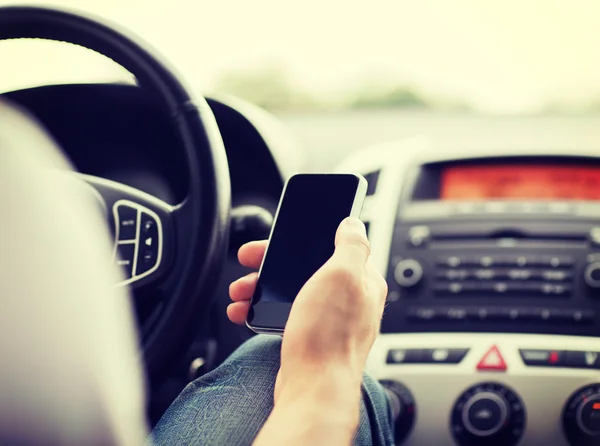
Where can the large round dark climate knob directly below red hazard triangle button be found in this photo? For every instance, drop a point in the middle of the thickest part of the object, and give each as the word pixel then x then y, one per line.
pixel 488 414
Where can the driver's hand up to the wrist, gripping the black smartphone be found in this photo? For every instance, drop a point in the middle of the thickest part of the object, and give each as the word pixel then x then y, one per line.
pixel 334 319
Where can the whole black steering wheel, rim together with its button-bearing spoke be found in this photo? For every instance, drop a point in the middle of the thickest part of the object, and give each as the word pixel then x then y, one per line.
pixel 179 249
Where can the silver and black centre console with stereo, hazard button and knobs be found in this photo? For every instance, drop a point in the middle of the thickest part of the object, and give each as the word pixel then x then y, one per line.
pixel 491 334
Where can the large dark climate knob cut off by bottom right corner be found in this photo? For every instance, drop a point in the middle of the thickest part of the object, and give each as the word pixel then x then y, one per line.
pixel 581 417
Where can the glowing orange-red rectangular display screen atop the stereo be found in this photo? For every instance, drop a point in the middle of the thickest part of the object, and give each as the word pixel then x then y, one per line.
pixel 520 182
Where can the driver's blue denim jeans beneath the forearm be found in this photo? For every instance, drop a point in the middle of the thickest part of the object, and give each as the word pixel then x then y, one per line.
pixel 229 405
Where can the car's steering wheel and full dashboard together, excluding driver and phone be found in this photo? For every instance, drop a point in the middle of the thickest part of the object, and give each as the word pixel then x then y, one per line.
pixel 490 334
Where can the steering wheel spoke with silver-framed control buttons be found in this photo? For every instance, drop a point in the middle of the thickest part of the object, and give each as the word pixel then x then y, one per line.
pixel 142 226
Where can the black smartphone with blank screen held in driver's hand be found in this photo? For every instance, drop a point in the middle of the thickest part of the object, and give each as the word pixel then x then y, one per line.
pixel 311 208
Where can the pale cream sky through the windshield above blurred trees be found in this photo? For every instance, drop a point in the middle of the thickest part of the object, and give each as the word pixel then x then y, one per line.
pixel 510 56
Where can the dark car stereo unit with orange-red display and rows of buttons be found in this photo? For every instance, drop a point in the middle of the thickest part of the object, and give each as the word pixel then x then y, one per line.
pixel 497 245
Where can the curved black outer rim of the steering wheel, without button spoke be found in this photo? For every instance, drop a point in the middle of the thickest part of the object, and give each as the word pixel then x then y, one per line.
pixel 202 219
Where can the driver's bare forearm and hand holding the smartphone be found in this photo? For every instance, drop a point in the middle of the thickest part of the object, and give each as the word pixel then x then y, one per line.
pixel 331 328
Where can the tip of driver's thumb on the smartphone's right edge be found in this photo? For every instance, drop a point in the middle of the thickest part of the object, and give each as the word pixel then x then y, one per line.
pixel 351 243
